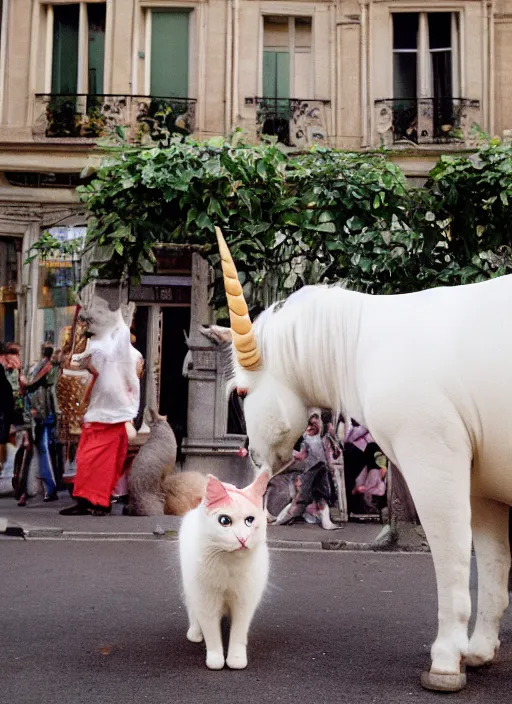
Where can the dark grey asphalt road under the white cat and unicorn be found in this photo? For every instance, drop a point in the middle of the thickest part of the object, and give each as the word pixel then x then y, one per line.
pixel 98 622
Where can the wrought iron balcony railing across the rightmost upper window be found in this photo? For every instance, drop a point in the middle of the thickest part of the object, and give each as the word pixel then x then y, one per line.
pixel 426 120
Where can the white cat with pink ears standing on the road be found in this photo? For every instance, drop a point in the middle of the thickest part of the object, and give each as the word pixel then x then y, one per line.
pixel 224 566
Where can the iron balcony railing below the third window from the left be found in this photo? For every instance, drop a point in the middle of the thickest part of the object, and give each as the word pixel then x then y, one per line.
pixel 295 122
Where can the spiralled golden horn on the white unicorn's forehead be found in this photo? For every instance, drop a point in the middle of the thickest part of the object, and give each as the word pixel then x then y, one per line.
pixel 248 354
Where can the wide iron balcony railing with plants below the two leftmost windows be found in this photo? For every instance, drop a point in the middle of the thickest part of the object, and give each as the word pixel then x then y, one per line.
pixel 92 117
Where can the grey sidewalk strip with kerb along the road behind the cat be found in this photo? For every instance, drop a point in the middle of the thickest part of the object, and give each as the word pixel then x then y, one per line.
pixel 42 520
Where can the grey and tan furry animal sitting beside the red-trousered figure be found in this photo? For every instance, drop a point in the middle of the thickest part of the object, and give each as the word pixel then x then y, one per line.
pixel 153 486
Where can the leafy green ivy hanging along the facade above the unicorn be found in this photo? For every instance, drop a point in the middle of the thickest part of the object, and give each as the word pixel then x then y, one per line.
pixel 291 220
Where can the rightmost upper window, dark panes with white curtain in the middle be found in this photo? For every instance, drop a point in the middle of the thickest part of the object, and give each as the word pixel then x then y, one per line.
pixel 425 74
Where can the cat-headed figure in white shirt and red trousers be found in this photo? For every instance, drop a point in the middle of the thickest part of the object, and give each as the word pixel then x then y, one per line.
pixel 112 401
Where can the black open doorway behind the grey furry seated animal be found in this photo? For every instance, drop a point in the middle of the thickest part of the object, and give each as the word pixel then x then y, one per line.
pixel 173 385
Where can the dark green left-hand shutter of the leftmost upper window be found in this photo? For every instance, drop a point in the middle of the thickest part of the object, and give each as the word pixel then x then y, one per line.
pixel 65 49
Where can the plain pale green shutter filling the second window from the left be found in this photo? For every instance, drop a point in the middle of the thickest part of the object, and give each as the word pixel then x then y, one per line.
pixel 169 53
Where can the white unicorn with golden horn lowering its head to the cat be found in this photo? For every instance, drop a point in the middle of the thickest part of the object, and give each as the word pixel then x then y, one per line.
pixel 430 375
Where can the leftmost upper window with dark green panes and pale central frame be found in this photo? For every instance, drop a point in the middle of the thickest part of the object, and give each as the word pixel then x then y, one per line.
pixel 77 66
